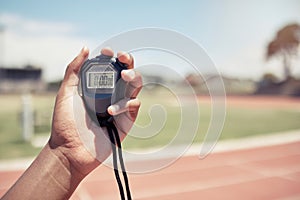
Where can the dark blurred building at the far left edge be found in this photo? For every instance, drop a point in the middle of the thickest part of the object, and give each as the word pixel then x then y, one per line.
pixel 19 80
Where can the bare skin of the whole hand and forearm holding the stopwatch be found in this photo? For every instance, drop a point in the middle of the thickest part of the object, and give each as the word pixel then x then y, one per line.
pixel 67 159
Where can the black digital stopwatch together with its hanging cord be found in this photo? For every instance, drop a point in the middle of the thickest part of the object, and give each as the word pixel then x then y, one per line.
pixel 100 86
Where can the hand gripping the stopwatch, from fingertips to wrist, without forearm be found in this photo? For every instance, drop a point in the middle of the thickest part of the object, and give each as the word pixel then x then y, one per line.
pixel 82 141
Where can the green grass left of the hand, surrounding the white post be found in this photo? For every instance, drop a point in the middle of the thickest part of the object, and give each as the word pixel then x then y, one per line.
pixel 11 142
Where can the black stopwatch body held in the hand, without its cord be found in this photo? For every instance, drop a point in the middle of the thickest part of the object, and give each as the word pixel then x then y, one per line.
pixel 101 85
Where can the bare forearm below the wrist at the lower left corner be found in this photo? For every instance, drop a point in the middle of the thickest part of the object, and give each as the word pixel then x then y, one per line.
pixel 50 176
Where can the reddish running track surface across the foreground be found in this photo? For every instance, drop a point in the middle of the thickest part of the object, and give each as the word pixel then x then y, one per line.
pixel 261 173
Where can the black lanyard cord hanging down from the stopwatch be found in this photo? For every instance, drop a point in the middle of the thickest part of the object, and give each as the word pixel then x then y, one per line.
pixel 116 146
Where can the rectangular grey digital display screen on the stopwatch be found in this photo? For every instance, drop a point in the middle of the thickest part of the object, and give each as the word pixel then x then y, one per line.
pixel 100 80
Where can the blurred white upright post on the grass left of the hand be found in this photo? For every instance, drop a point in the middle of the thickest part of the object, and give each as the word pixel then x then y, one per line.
pixel 27 117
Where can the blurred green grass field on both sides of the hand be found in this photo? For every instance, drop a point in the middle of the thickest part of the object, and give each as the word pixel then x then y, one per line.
pixel 240 121
